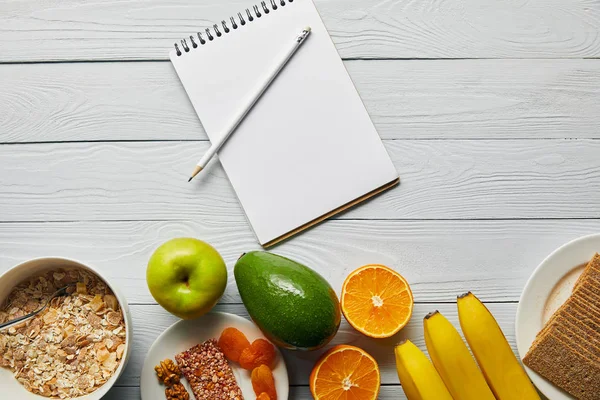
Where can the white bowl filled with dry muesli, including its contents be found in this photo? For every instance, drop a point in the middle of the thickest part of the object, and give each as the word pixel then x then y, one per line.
pixel 76 346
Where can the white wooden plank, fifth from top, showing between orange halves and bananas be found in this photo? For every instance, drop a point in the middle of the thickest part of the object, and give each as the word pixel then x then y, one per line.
pixel 150 321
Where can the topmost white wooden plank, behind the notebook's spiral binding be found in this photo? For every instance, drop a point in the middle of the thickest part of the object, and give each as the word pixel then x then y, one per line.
pixel 136 29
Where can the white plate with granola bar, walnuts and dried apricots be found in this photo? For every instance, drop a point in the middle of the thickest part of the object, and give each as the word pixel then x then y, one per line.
pixel 216 356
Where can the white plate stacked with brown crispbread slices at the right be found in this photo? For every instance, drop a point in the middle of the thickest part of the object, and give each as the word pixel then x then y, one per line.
pixel 558 322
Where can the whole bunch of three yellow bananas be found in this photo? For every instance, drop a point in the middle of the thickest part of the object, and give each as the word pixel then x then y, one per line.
pixel 454 374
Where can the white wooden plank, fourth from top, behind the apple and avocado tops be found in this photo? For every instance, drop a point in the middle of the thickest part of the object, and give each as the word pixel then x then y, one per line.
pixel 440 259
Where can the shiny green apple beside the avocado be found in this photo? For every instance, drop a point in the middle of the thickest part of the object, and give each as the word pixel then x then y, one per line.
pixel 187 277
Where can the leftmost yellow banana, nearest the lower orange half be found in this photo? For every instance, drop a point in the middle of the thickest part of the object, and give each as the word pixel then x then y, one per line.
pixel 419 379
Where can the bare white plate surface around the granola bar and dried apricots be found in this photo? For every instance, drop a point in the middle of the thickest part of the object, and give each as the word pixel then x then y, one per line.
pixel 187 333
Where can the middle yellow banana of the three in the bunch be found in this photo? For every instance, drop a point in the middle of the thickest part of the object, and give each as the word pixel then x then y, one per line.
pixel 453 361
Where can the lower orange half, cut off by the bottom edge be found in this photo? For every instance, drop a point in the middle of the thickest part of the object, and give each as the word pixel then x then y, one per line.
pixel 345 373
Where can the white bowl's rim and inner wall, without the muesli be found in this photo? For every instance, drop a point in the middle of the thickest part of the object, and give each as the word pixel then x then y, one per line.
pixel 9 387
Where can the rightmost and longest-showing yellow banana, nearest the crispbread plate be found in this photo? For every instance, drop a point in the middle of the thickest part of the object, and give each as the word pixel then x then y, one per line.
pixel 501 369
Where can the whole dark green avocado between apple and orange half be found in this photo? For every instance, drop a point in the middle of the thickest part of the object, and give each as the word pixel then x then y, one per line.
pixel 294 306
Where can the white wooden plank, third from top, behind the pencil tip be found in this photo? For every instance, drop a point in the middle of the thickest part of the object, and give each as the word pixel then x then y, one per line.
pixel 447 179
